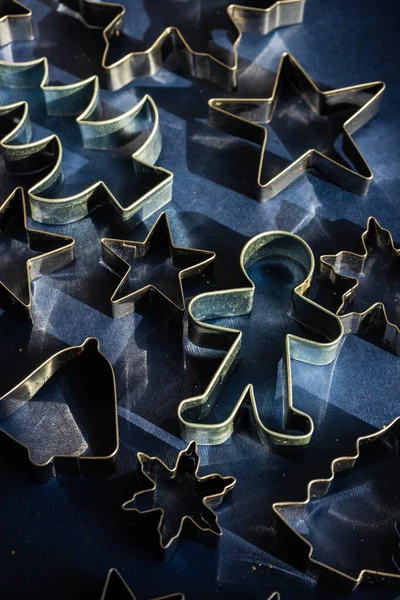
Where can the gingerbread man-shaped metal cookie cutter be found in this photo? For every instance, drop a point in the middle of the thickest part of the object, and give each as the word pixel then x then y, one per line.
pixel 239 301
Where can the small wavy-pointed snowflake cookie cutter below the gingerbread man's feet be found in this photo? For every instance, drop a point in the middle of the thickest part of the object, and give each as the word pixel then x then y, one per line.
pixel 198 493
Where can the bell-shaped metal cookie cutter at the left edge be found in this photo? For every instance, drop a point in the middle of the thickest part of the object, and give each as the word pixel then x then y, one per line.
pixel 93 362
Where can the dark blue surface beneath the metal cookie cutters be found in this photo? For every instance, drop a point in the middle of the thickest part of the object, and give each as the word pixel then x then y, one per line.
pixel 59 540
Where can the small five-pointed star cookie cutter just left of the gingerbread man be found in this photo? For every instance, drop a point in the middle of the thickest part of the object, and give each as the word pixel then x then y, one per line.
pixel 116 254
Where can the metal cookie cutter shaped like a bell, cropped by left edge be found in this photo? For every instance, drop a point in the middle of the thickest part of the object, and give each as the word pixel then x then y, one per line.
pixel 22 393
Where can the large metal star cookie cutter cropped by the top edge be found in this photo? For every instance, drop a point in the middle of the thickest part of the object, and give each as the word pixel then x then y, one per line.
pixel 203 65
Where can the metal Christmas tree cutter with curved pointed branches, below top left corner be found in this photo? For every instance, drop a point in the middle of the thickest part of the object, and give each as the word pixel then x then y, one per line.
pixel 24 157
